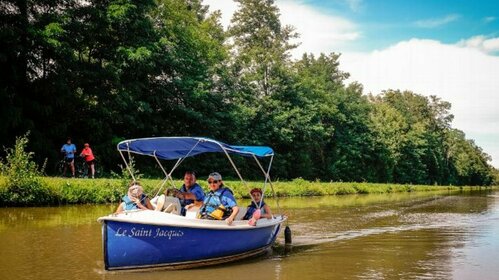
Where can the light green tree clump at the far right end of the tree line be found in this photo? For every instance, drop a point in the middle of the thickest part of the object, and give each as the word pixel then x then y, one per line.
pixel 417 144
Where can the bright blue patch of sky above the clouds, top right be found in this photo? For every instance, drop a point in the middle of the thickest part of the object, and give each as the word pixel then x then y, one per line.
pixel 383 23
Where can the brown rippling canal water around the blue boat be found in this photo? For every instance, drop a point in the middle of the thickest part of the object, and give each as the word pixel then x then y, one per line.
pixel 391 236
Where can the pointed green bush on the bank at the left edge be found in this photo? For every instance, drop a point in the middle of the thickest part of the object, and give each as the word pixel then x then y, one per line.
pixel 23 184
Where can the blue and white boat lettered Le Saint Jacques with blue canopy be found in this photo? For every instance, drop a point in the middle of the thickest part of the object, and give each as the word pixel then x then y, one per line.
pixel 146 239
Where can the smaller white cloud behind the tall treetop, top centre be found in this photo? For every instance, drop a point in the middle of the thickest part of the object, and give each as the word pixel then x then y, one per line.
pixel 319 32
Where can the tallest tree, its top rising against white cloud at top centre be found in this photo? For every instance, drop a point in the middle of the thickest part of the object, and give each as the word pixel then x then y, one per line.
pixel 260 46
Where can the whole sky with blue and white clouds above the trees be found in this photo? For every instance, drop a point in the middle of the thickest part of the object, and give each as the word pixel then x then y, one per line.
pixel 432 47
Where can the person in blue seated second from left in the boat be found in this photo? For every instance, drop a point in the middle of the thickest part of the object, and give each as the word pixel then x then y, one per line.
pixel 191 195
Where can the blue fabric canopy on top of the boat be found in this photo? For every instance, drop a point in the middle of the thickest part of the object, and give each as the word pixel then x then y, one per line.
pixel 178 147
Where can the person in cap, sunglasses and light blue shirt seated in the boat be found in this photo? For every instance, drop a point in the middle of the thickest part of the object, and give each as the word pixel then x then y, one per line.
pixel 219 202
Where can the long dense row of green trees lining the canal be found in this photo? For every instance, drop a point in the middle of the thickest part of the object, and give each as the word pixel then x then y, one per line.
pixel 105 70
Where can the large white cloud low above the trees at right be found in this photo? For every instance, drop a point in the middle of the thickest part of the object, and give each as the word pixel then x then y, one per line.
pixel 461 75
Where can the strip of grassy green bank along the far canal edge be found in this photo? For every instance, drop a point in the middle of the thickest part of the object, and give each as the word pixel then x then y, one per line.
pixel 80 191
